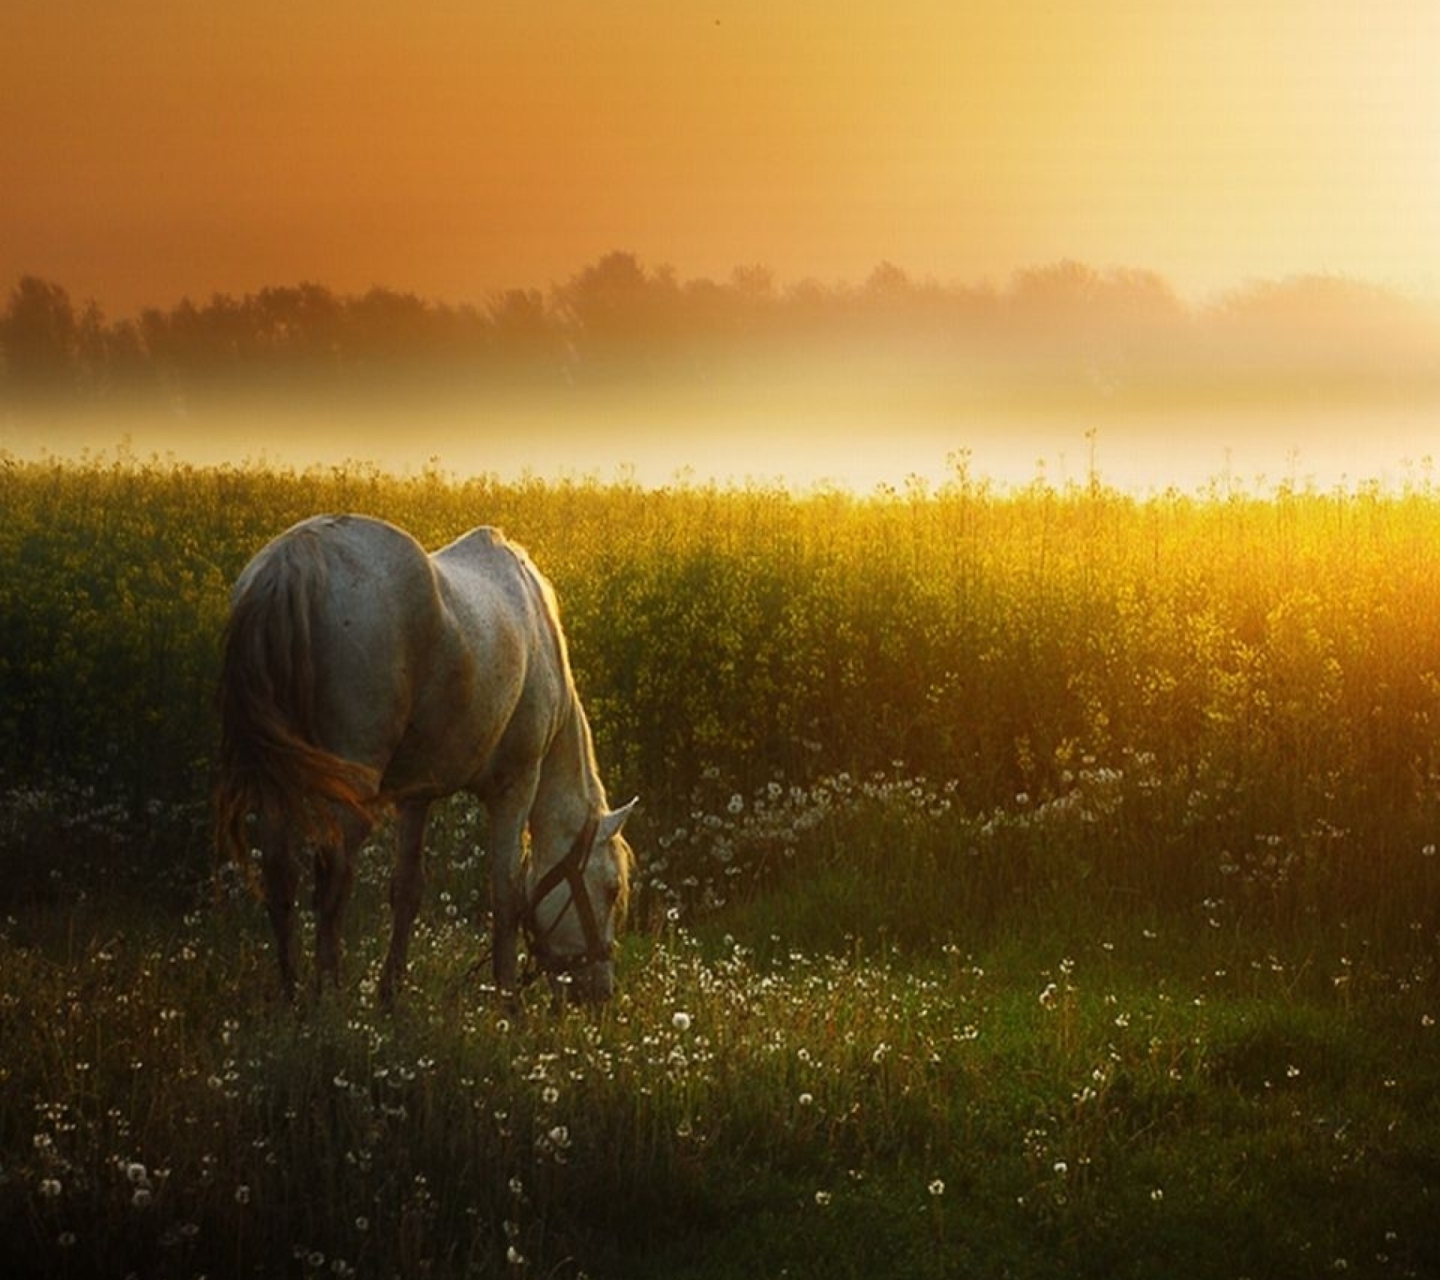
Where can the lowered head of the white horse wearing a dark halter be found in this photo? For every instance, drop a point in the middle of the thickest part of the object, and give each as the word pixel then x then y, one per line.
pixel 575 908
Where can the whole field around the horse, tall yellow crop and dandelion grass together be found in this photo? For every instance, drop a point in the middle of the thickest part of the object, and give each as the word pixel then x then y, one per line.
pixel 1033 883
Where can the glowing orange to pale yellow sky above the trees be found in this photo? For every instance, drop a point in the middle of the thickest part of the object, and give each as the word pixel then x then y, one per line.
pixel 453 148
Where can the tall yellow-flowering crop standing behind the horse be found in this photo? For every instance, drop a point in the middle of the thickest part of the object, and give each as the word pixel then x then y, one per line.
pixel 1272 650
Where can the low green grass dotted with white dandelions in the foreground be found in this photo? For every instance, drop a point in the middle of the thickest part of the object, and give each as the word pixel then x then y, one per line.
pixel 1048 1092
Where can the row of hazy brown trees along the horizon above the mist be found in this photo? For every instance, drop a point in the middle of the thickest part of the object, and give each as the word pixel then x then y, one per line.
pixel 1065 328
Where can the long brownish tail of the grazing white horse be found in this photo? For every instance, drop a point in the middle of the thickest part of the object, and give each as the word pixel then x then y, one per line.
pixel 271 761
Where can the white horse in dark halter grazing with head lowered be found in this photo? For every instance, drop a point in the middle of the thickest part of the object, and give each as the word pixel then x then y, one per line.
pixel 361 675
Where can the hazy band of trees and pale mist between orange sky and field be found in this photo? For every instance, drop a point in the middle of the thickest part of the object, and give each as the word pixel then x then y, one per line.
pixel 1065 374
